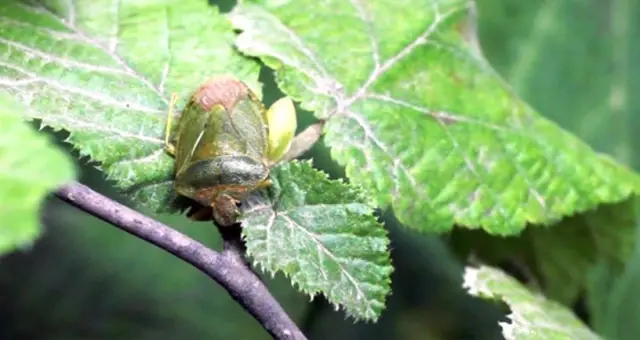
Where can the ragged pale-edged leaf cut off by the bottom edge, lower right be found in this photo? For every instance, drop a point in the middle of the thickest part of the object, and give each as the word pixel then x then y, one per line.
pixel 532 316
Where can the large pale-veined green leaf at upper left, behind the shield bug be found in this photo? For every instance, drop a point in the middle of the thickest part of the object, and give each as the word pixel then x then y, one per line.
pixel 106 72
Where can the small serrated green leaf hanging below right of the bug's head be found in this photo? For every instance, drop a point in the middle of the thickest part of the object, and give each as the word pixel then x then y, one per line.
pixel 322 234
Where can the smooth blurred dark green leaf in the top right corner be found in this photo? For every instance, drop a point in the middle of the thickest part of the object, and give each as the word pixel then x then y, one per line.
pixel 587 52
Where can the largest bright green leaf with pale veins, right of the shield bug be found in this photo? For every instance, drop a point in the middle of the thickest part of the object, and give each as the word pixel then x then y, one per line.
pixel 420 120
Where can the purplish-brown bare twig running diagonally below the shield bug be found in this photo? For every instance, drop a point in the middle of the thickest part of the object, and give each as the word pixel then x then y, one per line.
pixel 228 268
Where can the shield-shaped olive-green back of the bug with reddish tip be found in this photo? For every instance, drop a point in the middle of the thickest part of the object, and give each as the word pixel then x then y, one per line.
pixel 221 144
